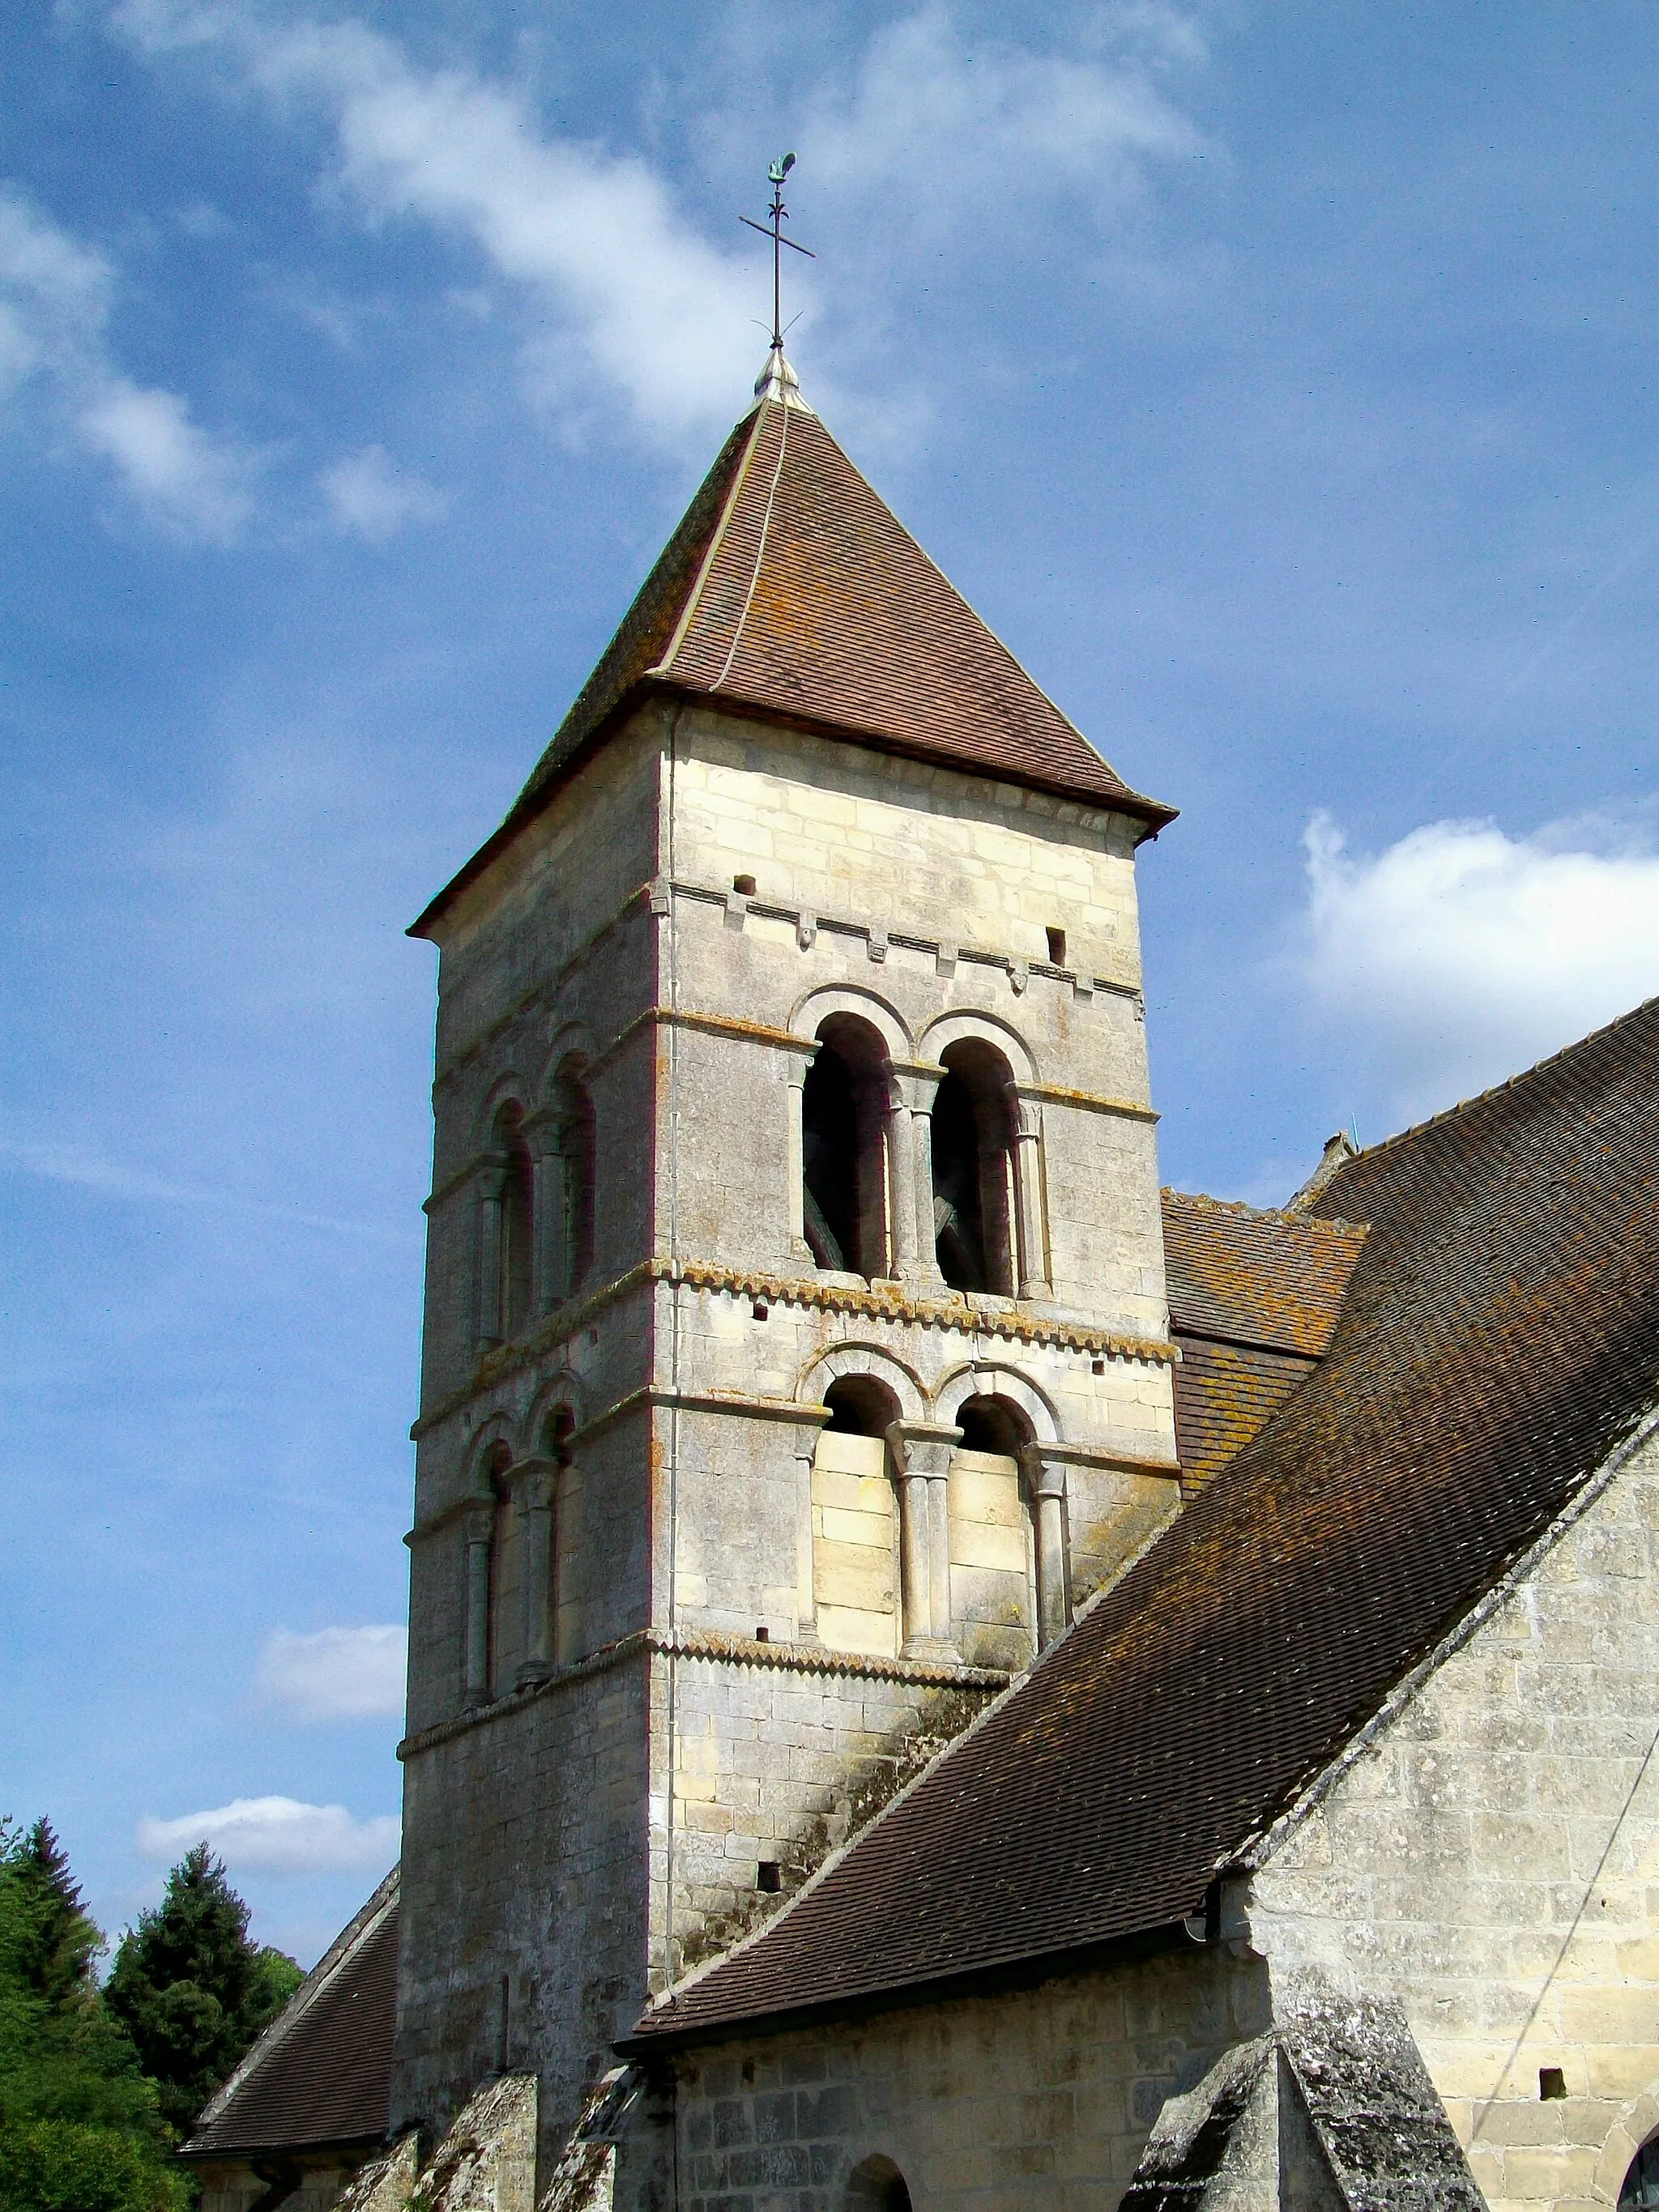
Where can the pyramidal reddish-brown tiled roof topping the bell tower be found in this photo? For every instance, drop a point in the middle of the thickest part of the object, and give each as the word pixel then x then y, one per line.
pixel 793 592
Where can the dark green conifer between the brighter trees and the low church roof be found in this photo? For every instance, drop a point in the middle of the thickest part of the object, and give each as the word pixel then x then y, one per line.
pixel 191 1990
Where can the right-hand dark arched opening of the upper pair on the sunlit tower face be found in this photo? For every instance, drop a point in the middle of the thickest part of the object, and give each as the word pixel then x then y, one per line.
pixel 974 1169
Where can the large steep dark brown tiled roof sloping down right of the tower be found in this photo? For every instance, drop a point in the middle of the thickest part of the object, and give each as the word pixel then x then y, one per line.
pixel 1499 1342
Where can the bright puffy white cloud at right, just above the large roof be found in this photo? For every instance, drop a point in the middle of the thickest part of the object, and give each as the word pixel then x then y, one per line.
pixel 1463 954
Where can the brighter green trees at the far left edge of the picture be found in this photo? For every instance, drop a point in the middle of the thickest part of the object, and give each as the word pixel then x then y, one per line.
pixel 81 2129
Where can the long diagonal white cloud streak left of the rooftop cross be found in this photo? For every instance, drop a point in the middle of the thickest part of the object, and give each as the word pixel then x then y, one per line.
pixel 640 300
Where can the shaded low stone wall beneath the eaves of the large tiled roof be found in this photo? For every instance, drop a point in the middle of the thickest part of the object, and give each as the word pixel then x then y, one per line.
pixel 992 2105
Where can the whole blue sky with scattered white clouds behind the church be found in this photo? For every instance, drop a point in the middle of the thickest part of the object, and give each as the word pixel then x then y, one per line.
pixel 1277 379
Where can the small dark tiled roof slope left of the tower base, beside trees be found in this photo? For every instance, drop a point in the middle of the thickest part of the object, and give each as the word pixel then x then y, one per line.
pixel 322 2072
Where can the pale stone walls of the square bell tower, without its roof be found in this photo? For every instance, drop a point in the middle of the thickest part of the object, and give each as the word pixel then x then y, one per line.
pixel 724 1684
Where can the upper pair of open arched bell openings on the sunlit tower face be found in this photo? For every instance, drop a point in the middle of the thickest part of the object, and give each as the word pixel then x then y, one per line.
pixel 910 1173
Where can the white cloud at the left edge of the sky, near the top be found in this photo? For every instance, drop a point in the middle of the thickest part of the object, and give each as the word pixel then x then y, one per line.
pixel 54 315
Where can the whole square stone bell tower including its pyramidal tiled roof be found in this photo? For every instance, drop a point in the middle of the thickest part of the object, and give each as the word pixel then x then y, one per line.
pixel 797 1355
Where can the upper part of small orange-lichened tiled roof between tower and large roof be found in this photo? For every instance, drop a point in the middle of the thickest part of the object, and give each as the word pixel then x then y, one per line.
pixel 1255 1277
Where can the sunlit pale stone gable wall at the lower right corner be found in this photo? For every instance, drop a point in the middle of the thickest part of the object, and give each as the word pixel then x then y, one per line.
pixel 1492 1861
